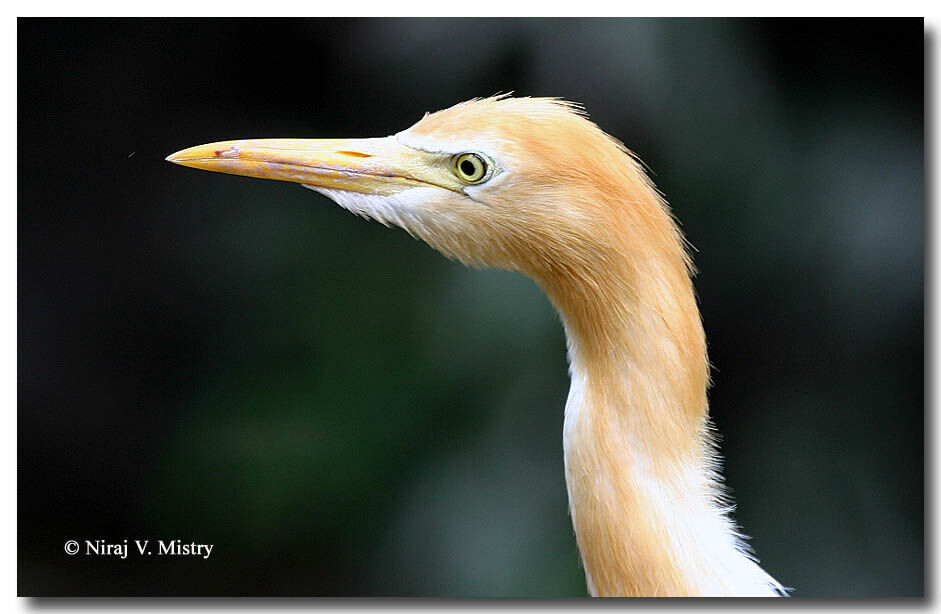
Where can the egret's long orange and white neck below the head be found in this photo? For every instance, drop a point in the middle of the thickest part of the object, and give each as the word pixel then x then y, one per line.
pixel 640 465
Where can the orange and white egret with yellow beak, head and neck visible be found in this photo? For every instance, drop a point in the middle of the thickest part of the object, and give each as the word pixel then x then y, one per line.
pixel 532 185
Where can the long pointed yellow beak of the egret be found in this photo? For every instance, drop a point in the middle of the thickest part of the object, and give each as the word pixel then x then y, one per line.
pixel 371 166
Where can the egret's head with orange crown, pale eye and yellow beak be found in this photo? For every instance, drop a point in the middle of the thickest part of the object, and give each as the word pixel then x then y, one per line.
pixel 525 184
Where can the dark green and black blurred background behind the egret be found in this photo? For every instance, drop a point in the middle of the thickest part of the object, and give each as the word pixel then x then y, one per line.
pixel 342 411
